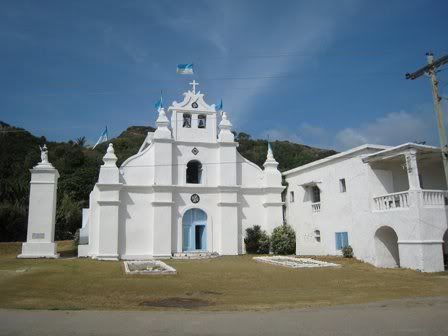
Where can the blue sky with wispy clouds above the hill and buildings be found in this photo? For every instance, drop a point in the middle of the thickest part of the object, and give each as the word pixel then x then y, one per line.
pixel 323 73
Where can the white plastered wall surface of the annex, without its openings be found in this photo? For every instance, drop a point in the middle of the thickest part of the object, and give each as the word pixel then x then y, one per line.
pixel 419 228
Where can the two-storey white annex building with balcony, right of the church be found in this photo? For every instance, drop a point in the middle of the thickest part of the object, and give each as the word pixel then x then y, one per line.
pixel 388 203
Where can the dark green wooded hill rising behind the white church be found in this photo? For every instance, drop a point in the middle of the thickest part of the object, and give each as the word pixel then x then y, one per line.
pixel 78 167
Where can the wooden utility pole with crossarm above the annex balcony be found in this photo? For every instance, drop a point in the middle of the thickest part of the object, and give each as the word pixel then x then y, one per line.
pixel 431 70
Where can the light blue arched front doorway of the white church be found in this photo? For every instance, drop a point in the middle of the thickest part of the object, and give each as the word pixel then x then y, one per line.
pixel 194 230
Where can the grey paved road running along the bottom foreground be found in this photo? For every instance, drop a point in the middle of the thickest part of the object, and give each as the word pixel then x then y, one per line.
pixel 427 316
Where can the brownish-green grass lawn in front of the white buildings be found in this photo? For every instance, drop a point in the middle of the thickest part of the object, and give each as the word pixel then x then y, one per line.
pixel 225 283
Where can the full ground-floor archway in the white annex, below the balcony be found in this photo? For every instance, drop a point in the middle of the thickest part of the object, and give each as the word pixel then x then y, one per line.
pixel 386 248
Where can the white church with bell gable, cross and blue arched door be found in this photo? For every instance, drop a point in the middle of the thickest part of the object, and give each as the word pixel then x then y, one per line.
pixel 187 189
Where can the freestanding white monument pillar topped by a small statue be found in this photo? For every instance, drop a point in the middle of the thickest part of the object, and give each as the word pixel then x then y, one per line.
pixel 42 210
